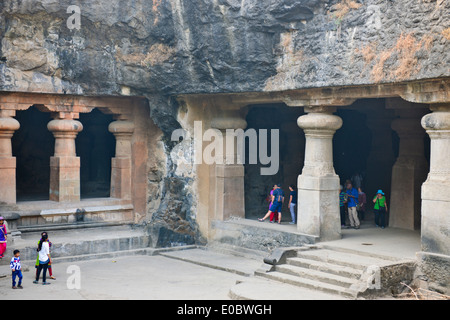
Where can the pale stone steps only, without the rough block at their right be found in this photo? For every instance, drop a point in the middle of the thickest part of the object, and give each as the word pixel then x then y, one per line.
pixel 337 271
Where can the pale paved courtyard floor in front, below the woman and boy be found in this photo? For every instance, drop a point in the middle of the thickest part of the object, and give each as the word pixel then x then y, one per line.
pixel 135 277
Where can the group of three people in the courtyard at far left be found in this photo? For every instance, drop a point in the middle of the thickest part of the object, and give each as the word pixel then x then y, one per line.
pixel 43 261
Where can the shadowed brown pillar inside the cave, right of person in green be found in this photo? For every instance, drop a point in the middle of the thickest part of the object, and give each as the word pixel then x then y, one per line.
pixel 409 171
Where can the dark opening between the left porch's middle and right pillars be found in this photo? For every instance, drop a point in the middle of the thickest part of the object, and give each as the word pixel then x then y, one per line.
pixel 95 146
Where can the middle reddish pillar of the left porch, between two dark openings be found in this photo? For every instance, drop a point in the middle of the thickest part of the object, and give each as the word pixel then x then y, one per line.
pixel 65 165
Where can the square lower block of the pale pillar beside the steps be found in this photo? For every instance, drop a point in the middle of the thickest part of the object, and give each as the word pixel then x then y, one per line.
pixel 318 213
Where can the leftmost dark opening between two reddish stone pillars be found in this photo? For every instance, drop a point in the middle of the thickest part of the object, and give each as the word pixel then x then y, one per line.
pixel 33 145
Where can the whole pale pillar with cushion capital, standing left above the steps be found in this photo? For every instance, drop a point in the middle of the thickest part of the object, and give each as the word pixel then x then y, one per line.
pixel 318 185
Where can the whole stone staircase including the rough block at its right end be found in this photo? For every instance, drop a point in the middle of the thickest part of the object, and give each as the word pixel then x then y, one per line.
pixel 343 272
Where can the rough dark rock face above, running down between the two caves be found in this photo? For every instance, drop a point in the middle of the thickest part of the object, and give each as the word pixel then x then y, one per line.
pixel 161 48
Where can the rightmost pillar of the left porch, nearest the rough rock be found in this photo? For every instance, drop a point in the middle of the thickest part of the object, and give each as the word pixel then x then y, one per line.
pixel 121 163
